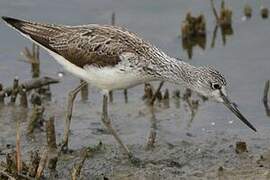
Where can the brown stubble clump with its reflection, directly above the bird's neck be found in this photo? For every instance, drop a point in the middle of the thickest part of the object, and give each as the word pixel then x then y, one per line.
pixel 193 31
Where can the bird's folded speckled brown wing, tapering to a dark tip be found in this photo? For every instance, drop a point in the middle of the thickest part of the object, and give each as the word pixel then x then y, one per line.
pixel 82 45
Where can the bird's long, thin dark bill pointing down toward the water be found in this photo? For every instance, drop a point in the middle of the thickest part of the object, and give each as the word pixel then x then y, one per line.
pixel 231 106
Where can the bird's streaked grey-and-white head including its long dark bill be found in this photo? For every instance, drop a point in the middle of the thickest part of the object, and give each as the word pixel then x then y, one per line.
pixel 211 83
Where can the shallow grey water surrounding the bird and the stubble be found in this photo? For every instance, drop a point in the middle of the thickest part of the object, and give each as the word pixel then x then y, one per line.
pixel 244 61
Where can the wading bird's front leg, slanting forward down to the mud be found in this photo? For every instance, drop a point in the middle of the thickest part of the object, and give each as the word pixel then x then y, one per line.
pixel 107 122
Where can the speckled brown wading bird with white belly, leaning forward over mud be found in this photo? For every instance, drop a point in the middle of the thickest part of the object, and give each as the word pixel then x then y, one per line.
pixel 112 58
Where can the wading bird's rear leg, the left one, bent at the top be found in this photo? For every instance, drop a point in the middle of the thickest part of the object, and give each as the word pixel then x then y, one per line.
pixel 71 97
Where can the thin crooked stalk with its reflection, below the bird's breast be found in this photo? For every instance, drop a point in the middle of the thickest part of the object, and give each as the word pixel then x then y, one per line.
pixel 152 135
